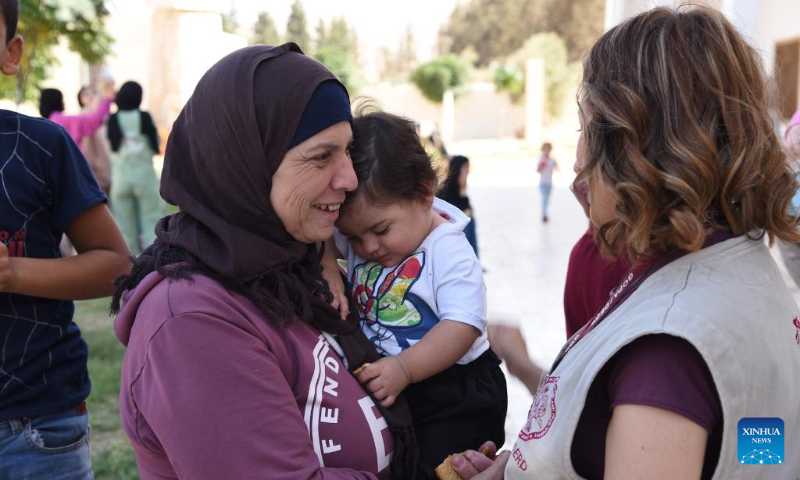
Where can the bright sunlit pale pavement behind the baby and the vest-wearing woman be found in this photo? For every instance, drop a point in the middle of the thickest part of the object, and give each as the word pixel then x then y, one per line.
pixel 526 264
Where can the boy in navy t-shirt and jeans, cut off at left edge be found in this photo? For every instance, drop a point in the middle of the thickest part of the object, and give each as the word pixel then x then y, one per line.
pixel 44 382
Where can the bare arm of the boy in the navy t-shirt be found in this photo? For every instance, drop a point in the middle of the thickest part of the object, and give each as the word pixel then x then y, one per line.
pixel 102 257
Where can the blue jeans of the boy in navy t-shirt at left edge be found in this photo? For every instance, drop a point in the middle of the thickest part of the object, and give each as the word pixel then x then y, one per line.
pixel 53 447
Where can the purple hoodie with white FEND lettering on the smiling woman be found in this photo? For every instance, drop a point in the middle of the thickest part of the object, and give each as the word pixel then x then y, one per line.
pixel 211 389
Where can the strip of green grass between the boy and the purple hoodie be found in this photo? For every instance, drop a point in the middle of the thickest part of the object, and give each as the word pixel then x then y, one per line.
pixel 112 455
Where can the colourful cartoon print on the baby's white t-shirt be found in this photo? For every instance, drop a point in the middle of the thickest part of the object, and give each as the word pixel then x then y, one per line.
pixel 391 312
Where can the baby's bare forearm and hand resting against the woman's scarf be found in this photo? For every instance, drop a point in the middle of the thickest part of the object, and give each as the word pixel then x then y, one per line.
pixel 439 349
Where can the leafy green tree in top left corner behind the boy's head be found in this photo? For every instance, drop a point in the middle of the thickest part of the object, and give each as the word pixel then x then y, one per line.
pixel 42 23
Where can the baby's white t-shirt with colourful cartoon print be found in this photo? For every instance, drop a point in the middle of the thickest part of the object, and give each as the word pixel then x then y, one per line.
pixel 441 280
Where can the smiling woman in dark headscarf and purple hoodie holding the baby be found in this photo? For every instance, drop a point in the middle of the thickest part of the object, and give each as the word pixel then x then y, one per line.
pixel 236 364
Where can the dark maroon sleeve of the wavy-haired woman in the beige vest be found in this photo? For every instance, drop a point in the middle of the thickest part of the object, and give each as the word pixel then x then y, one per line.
pixel 665 372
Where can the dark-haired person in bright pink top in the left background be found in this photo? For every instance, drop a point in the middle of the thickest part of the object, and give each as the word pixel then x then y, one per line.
pixel 51 107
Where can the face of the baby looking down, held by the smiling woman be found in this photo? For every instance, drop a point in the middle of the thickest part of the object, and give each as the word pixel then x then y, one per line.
pixel 386 233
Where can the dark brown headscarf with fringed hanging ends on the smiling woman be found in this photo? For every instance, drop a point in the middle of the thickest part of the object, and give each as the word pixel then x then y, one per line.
pixel 224 148
